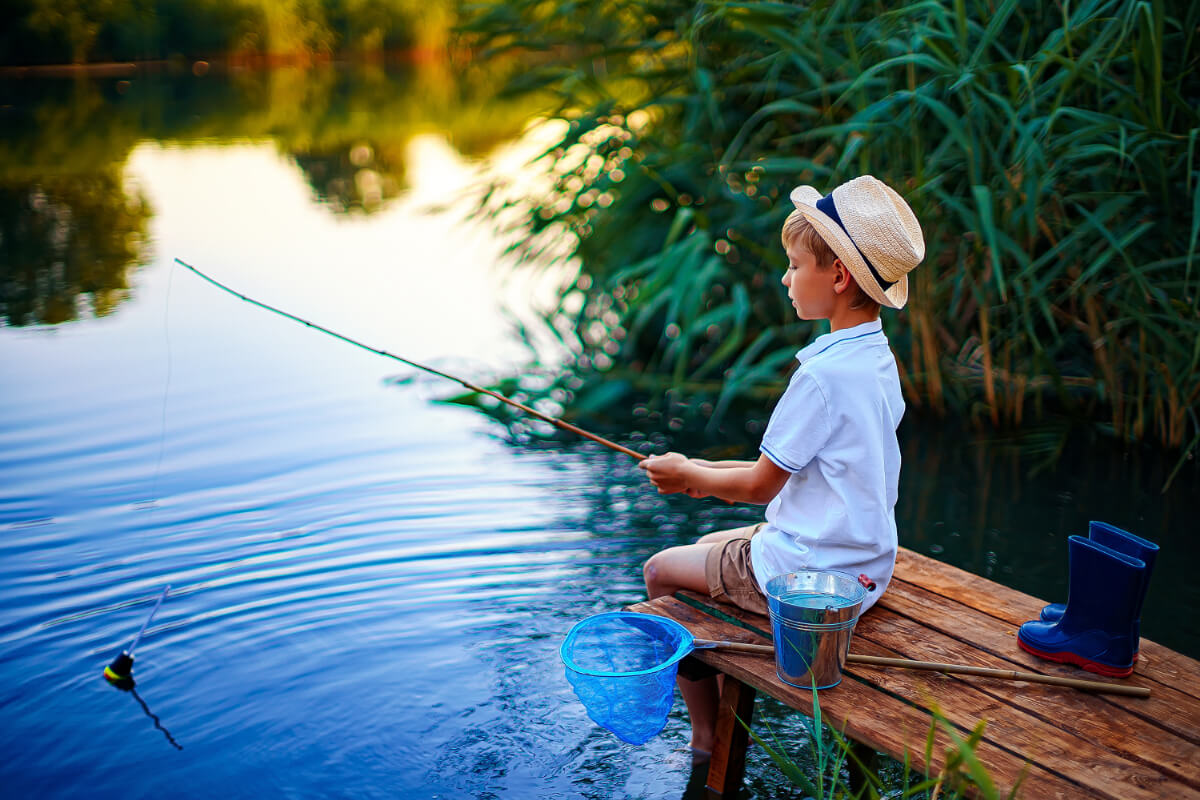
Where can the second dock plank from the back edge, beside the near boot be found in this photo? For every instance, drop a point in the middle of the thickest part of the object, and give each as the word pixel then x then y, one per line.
pixel 1167 707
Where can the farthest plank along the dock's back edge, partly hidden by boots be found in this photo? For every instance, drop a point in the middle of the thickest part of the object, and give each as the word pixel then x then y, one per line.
pixel 1155 660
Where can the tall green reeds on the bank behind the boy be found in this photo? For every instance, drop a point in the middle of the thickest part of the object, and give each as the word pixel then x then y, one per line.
pixel 1049 152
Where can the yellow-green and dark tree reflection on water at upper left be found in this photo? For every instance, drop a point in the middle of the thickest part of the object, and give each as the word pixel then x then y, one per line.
pixel 71 230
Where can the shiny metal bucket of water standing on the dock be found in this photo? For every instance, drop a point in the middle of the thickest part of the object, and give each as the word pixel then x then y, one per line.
pixel 813 616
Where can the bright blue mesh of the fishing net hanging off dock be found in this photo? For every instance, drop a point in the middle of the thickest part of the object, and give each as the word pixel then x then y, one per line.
pixel 622 667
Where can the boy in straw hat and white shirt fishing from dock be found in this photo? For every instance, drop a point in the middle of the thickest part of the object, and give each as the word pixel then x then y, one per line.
pixel 830 462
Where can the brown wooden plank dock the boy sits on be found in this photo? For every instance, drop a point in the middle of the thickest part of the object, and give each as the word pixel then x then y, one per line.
pixel 1059 743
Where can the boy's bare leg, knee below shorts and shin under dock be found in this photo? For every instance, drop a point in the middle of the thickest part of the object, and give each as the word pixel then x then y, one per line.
pixel 667 573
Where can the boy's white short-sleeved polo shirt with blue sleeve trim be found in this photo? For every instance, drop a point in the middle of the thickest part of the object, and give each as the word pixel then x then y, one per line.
pixel 835 430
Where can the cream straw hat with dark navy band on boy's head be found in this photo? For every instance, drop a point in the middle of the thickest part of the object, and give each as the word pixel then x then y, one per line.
pixel 872 230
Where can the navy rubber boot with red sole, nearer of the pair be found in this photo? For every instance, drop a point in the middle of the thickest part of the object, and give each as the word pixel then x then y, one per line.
pixel 1097 630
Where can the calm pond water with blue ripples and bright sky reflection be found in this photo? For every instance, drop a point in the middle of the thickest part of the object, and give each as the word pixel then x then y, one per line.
pixel 370 587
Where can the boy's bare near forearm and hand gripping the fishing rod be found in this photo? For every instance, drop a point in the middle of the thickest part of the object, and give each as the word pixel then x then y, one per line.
pixel 757 483
